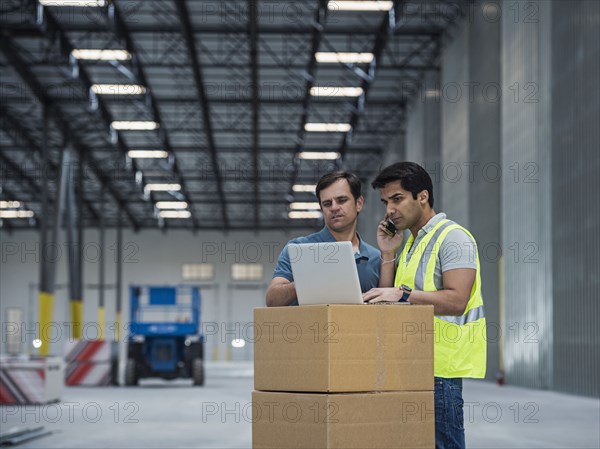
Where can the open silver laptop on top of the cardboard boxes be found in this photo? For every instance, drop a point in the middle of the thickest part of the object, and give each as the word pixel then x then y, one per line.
pixel 325 273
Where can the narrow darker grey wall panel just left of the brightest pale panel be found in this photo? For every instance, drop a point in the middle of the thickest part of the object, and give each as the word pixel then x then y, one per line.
pixel 484 157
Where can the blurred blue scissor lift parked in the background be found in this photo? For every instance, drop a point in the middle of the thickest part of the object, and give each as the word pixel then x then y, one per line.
pixel 164 334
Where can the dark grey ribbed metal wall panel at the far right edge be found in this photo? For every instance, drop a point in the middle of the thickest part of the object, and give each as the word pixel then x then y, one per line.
pixel 575 195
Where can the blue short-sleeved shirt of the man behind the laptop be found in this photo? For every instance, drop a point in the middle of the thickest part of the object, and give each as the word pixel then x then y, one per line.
pixel 367 260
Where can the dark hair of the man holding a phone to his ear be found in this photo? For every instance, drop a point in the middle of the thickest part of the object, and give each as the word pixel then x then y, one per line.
pixel 412 177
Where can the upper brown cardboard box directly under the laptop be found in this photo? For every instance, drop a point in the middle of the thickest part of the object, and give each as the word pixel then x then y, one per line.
pixel 343 348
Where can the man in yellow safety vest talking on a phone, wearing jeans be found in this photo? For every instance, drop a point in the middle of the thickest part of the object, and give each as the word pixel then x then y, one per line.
pixel 438 266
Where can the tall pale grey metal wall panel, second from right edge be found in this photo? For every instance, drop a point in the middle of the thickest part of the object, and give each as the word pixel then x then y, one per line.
pixel 526 201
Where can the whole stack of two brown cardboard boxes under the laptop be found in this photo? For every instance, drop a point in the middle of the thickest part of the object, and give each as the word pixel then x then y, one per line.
pixel 343 376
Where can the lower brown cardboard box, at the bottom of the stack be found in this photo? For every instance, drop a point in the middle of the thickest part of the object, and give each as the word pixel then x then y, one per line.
pixel 401 419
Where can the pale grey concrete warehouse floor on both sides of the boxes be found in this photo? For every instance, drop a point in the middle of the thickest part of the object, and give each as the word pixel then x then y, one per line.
pixel 176 415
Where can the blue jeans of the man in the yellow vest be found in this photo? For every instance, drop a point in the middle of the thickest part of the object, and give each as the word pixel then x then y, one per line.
pixel 449 418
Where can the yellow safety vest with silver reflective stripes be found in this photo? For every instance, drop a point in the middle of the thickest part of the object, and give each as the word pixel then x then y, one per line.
pixel 460 341
